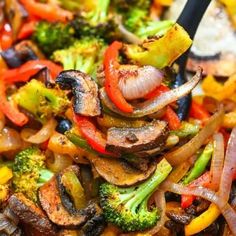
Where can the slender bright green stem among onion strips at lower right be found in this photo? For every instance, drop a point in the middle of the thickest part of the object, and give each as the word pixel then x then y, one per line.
pixel 200 165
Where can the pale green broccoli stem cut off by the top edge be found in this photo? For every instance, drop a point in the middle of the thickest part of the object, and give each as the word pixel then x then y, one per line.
pixel 101 12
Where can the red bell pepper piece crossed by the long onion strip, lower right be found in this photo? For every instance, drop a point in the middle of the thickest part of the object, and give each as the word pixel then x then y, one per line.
pixel 204 181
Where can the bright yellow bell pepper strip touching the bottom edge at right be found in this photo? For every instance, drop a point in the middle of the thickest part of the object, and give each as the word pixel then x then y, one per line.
pixel 203 221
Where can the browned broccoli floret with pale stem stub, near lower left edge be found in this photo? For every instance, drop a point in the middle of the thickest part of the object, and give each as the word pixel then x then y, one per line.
pixel 29 172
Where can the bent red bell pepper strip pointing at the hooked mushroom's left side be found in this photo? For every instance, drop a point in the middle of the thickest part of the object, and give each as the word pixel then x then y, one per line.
pixel 29 69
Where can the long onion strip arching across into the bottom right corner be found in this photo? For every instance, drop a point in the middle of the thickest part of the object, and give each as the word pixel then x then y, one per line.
pixel 226 210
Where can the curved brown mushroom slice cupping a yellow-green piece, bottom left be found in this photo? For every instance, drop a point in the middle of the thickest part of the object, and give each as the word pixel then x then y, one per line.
pixel 52 204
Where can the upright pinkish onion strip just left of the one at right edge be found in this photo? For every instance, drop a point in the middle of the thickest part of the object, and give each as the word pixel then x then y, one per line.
pixel 217 162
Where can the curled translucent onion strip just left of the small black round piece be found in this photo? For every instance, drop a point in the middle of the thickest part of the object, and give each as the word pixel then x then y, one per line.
pixel 42 135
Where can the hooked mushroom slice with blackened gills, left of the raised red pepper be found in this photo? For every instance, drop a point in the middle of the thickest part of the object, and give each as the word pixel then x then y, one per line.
pixel 84 89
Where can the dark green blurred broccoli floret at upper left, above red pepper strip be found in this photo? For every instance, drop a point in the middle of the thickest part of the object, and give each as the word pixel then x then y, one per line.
pixel 50 37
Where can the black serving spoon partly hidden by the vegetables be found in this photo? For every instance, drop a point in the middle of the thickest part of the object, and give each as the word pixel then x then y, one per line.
pixel 189 19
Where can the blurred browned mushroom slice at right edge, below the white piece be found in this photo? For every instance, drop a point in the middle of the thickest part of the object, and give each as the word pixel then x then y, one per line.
pixel 222 65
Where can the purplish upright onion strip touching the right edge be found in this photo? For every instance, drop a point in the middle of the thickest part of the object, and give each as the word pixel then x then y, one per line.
pixel 229 168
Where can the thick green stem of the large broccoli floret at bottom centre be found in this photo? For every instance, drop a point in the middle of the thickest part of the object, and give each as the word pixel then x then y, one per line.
pixel 145 189
